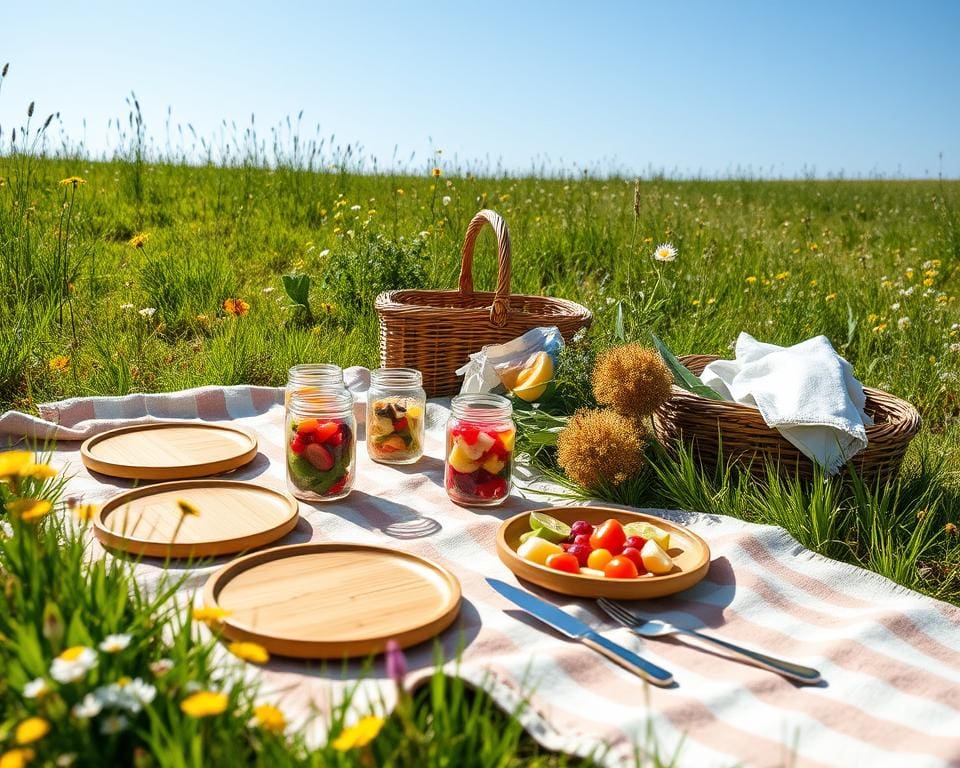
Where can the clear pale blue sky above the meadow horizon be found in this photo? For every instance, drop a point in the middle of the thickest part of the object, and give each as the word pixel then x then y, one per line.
pixel 712 88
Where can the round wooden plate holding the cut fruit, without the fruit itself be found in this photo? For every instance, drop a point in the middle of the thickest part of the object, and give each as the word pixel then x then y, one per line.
pixel 690 554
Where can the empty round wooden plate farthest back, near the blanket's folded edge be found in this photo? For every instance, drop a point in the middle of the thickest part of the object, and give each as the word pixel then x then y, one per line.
pixel 169 450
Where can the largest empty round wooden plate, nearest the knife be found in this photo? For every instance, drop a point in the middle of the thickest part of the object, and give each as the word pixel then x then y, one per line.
pixel 330 601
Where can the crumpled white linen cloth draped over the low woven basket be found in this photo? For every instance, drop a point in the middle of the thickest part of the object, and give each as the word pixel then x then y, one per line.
pixel 807 392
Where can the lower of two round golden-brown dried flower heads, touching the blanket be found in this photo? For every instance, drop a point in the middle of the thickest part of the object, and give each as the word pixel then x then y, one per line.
pixel 598 446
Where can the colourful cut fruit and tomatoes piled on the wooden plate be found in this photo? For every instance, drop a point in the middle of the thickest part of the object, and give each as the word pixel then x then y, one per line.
pixel 611 549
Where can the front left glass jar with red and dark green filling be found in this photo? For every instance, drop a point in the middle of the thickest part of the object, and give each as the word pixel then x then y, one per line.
pixel 321 444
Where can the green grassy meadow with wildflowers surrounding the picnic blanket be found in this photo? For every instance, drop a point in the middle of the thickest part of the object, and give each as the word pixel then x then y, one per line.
pixel 114 276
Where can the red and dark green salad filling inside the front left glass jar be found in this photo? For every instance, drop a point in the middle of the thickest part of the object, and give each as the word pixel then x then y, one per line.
pixel 320 457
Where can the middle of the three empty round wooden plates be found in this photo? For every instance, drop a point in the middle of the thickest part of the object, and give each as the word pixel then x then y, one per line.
pixel 233 516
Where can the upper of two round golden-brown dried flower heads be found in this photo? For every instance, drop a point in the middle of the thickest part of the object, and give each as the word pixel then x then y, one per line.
pixel 632 379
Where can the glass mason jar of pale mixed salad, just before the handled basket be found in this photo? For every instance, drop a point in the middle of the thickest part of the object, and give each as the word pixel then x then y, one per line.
pixel 396 403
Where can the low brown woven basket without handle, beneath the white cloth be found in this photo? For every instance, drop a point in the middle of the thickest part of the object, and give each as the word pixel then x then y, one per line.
pixel 739 432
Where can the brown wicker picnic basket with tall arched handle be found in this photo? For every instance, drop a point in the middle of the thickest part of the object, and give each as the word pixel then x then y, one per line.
pixel 435 331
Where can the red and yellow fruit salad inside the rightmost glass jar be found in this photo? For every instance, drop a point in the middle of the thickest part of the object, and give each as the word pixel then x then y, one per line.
pixel 479 462
